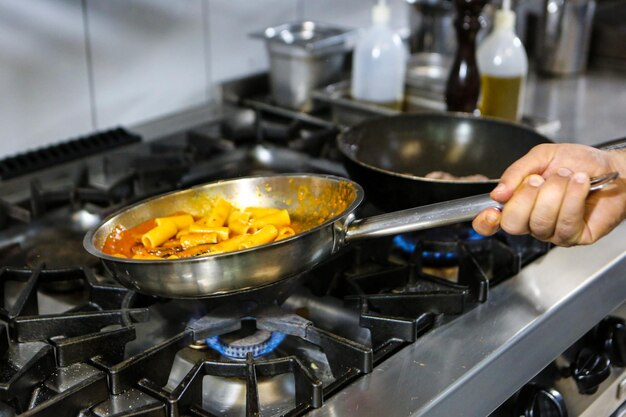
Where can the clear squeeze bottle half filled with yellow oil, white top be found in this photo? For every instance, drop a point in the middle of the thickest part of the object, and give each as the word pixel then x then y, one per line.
pixel 503 67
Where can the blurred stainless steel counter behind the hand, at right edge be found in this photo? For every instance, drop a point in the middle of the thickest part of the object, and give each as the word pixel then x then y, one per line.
pixel 590 107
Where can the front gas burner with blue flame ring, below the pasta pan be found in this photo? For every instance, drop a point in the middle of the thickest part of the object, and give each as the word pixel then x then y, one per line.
pixel 259 343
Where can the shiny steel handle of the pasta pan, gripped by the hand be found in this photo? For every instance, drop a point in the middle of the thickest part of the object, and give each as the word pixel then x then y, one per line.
pixel 435 215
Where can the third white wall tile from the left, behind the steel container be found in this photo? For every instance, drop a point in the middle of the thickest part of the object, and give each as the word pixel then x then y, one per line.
pixel 233 53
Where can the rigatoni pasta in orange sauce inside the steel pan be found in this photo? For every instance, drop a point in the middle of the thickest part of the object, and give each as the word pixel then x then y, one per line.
pixel 180 235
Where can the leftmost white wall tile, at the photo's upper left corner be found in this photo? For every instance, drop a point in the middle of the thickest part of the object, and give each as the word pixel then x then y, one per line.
pixel 44 93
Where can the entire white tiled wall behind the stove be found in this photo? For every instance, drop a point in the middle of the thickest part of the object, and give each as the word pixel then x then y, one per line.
pixel 69 67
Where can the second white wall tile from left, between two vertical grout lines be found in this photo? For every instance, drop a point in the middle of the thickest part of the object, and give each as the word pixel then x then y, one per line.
pixel 148 58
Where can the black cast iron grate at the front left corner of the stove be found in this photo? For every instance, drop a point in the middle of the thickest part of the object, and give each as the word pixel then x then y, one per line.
pixel 42 347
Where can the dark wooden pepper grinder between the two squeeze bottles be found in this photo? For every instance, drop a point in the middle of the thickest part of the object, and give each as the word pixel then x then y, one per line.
pixel 463 86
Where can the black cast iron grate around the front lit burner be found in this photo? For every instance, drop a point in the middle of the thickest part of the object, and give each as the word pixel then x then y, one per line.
pixel 142 372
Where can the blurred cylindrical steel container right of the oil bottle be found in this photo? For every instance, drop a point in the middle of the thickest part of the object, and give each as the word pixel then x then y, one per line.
pixel 565 31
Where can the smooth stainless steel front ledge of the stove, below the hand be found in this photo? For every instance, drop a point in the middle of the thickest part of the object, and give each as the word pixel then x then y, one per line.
pixel 473 364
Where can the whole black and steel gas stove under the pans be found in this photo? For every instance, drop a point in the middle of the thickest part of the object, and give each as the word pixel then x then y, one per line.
pixel 410 324
